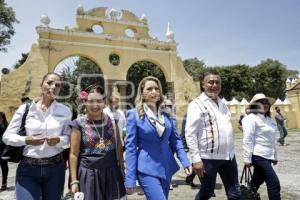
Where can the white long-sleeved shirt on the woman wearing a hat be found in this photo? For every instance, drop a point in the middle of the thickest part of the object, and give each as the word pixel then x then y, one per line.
pixel 259 137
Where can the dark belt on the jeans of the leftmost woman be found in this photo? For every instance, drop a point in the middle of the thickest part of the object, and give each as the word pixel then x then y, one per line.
pixel 42 161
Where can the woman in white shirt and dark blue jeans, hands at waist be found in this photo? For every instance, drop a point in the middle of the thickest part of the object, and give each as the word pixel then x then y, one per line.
pixel 41 171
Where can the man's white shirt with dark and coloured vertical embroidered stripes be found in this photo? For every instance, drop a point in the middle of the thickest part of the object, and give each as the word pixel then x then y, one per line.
pixel 206 119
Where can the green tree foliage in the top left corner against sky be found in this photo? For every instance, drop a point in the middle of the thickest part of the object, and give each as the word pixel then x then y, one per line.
pixel 7 20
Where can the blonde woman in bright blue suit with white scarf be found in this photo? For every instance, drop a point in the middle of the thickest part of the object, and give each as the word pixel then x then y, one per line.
pixel 151 141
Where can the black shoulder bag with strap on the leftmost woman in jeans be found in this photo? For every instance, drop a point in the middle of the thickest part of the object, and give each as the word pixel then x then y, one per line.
pixel 12 153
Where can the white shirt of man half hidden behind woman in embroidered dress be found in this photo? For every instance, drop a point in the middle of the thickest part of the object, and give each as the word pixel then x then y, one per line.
pixel 119 115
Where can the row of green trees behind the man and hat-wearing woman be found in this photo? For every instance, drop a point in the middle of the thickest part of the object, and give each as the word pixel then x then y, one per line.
pixel 243 81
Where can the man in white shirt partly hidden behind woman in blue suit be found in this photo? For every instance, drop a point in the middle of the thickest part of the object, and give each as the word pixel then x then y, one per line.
pixel 116 114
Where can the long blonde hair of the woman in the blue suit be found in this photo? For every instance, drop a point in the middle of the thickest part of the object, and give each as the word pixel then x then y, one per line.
pixel 139 100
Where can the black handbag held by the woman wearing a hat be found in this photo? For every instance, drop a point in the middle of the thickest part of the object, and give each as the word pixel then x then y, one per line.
pixel 248 191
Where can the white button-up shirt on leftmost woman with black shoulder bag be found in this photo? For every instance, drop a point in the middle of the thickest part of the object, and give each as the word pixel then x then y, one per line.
pixel 54 122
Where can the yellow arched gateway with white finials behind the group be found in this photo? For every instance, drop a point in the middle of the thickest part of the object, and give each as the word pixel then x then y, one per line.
pixel 114 40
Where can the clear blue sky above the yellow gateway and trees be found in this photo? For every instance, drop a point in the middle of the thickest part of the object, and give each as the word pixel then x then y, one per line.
pixel 221 32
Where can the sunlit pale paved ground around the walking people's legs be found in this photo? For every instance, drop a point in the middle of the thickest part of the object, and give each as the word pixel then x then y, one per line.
pixel 287 169
